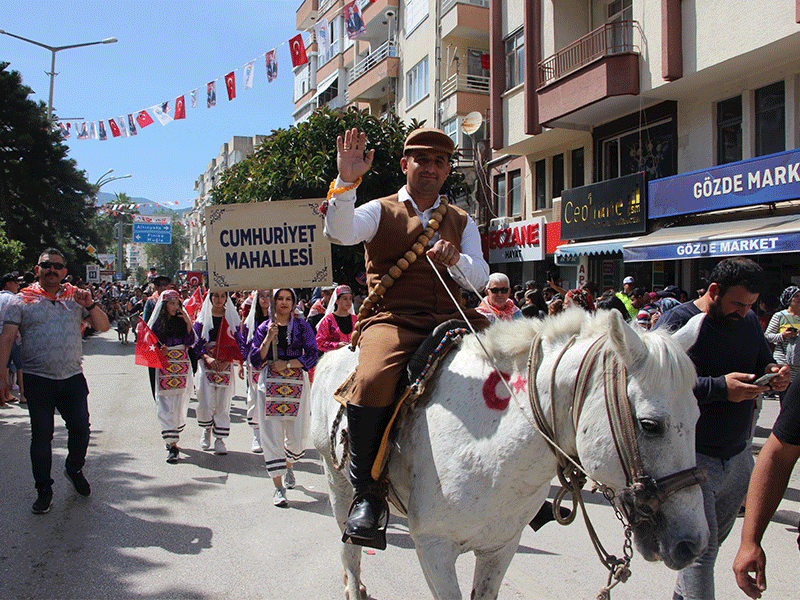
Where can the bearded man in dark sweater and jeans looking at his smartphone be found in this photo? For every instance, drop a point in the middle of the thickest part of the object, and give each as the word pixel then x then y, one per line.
pixel 729 355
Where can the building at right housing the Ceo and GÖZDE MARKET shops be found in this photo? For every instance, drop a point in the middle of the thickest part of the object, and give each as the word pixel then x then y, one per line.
pixel 647 138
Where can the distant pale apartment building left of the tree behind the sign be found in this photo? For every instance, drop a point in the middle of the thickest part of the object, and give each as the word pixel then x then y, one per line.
pixel 233 151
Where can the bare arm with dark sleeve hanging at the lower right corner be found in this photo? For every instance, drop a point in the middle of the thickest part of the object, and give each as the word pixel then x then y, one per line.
pixel 767 486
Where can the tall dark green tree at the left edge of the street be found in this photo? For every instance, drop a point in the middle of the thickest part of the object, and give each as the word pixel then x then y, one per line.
pixel 44 199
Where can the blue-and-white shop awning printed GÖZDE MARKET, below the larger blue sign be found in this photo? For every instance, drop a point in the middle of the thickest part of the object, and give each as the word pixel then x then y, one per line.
pixel 772 235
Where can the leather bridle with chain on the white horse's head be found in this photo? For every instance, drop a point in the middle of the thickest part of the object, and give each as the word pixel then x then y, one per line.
pixel 642 496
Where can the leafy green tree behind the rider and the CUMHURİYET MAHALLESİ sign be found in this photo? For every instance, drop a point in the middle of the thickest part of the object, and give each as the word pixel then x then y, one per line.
pixel 300 162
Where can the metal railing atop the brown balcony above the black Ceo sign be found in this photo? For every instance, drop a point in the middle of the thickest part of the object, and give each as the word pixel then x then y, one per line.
pixel 618 37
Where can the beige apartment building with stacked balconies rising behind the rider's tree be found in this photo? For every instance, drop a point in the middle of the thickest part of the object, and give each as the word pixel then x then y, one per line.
pixel 418 59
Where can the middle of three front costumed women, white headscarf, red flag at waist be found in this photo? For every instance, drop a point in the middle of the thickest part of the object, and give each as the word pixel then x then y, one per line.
pixel 215 385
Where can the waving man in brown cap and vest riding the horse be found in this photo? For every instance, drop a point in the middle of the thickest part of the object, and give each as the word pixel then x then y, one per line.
pixel 413 303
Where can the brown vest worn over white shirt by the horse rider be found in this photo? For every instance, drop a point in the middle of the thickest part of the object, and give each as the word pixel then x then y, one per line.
pixel 418 289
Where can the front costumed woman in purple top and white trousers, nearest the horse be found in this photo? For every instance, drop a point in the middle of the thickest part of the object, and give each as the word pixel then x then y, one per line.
pixel 284 348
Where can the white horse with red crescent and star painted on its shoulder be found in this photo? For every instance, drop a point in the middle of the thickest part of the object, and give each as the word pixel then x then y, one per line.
pixel 471 470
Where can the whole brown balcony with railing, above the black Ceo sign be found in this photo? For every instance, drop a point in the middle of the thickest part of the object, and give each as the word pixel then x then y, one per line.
pixel 600 65
